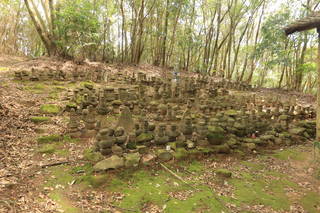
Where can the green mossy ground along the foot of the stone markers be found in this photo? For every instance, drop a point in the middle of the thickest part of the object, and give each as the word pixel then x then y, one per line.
pixel 253 183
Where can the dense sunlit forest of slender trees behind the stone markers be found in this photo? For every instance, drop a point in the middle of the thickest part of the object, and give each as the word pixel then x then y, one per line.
pixel 239 40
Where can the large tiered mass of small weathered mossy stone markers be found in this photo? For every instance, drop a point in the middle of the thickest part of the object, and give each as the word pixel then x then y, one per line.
pixel 164 119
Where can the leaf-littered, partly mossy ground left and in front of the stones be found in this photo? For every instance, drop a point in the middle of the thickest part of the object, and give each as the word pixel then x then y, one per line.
pixel 282 180
